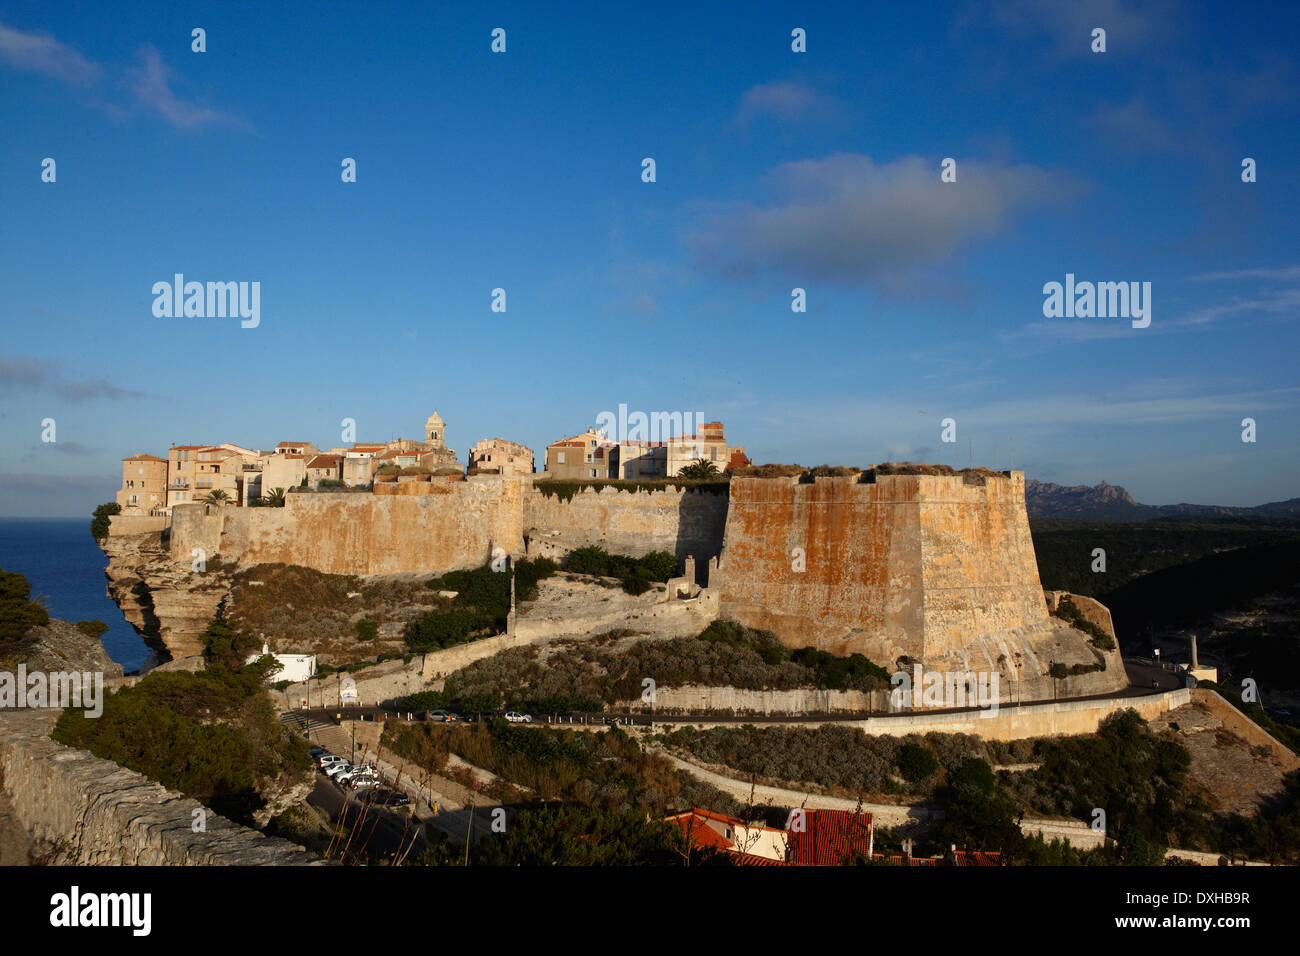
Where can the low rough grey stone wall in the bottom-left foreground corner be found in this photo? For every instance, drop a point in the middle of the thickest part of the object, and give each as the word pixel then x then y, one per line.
pixel 84 811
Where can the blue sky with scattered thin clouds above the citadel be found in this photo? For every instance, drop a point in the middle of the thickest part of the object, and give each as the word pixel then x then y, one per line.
pixel 774 171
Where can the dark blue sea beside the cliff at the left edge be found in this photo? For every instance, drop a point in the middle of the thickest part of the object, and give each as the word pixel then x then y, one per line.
pixel 63 563
